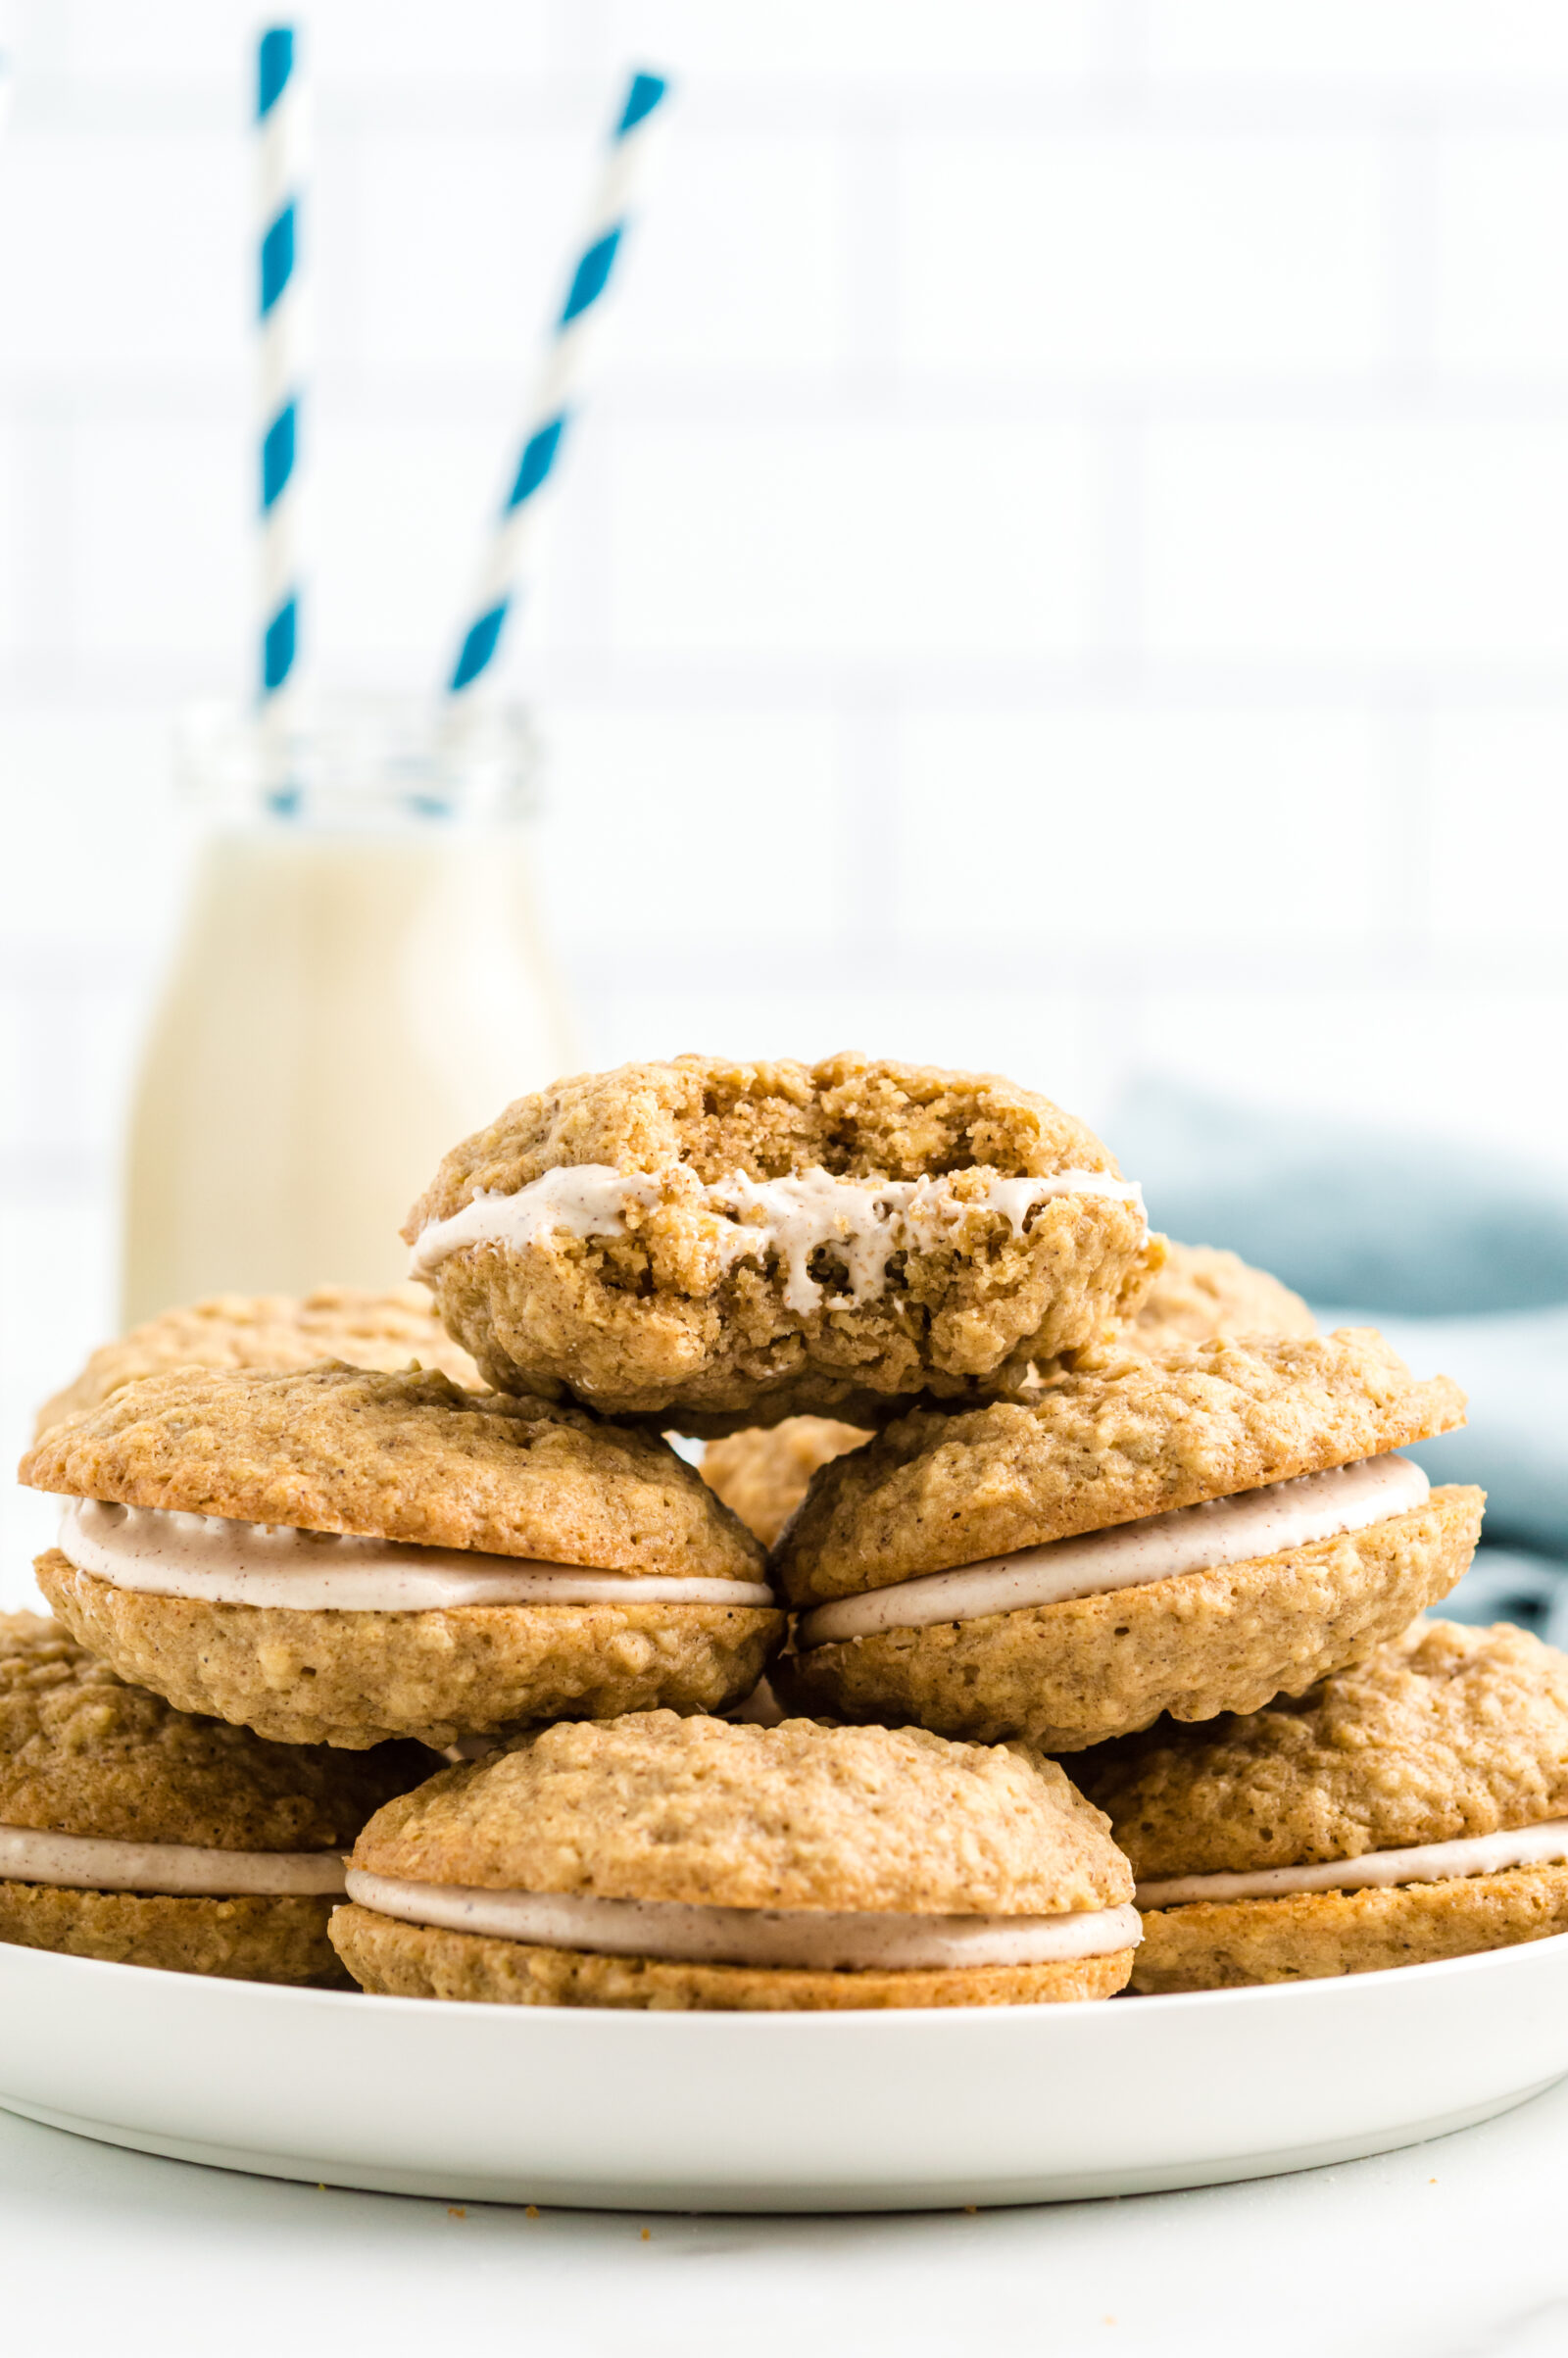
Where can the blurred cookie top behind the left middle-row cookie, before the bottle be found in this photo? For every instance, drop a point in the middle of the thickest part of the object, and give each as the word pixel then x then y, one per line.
pixel 272 1331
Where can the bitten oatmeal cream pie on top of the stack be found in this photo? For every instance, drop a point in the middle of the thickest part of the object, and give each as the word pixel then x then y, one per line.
pixel 732 1244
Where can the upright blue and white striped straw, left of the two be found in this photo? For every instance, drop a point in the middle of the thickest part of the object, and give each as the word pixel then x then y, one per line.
pixel 282 320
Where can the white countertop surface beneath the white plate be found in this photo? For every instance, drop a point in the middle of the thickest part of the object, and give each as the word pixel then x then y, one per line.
pixel 1435 2253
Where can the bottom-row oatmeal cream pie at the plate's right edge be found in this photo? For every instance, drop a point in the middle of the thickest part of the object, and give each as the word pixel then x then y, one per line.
pixel 1409 1810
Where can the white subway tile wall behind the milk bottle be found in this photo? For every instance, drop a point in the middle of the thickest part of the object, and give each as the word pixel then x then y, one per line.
pixel 1065 567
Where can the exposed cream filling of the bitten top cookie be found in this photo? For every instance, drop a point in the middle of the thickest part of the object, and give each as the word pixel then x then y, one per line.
pixel 864 1223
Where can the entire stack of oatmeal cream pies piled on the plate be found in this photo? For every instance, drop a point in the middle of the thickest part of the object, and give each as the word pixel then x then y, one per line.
pixel 1088 1572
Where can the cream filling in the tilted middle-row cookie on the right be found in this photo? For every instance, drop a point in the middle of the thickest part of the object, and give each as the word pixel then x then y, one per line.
pixel 1185 1541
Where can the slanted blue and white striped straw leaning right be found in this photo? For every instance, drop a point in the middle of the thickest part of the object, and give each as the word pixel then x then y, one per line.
pixel 560 388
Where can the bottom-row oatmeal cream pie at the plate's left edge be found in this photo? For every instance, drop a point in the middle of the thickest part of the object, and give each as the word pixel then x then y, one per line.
pixel 140 1836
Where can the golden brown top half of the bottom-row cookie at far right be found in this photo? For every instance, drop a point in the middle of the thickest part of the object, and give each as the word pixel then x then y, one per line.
pixel 1444 1732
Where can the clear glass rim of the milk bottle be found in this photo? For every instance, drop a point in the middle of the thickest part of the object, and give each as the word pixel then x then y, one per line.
pixel 360 760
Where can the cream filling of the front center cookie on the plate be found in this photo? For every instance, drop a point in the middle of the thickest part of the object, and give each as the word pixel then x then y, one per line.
pixel 810 1939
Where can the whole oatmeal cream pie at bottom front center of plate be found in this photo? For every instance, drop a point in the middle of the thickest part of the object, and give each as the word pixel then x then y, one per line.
pixel 699 1866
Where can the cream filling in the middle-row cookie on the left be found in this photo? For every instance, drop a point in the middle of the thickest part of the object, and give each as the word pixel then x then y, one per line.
pixel 319 1572
